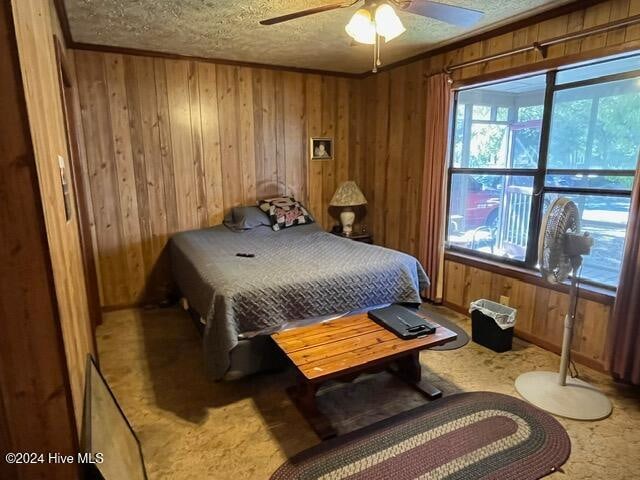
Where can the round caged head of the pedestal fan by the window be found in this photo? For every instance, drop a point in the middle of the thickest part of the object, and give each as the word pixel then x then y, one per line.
pixel 561 221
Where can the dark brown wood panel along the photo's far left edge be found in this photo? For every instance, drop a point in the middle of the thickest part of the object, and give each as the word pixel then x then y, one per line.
pixel 36 409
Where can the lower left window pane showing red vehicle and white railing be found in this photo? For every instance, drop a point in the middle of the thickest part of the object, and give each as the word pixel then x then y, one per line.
pixel 490 214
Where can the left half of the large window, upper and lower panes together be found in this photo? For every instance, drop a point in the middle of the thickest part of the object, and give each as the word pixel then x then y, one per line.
pixel 495 159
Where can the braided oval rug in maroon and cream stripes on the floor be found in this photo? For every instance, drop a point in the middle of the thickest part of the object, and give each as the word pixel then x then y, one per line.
pixel 465 436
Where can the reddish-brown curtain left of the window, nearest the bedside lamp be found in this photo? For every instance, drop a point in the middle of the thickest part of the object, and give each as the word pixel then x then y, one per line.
pixel 432 216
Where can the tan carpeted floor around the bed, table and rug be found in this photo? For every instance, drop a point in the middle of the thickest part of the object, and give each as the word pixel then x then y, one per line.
pixel 193 429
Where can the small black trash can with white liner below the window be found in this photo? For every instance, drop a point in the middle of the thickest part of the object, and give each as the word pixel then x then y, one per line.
pixel 486 320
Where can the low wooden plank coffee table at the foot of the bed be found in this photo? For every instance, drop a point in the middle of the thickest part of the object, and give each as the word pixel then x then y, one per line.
pixel 345 347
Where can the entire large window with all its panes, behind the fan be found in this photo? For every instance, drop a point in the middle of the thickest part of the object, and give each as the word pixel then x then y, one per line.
pixel 518 144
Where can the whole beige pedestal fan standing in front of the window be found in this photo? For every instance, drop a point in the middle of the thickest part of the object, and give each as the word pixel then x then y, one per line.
pixel 560 251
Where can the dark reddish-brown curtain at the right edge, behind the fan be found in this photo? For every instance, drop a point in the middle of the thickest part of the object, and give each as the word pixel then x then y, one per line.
pixel 624 337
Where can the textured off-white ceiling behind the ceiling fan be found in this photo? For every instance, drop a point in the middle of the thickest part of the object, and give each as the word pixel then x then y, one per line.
pixel 229 29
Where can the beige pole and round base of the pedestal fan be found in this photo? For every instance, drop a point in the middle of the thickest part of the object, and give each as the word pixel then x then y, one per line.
pixel 557 394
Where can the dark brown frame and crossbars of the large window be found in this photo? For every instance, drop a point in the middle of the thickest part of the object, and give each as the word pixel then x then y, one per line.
pixel 540 173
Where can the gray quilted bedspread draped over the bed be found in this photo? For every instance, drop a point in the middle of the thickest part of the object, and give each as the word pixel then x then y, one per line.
pixel 296 273
